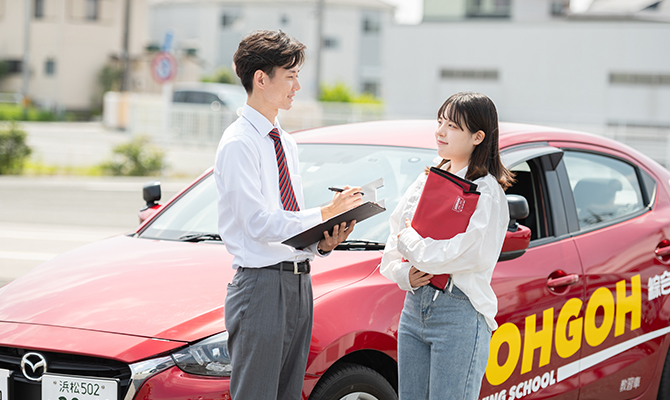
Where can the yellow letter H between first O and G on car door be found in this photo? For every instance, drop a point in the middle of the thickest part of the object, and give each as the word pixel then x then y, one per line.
pixel 537 339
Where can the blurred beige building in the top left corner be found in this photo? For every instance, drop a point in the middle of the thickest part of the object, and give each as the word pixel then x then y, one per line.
pixel 70 42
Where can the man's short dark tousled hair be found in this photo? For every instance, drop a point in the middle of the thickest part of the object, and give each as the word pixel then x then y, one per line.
pixel 266 50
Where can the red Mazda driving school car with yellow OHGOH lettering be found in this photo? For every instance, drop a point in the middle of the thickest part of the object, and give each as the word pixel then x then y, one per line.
pixel 583 308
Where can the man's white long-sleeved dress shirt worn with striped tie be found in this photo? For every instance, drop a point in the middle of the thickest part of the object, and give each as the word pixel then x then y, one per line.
pixel 252 220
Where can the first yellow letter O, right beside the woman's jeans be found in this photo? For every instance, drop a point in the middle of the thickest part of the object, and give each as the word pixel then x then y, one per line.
pixel 506 333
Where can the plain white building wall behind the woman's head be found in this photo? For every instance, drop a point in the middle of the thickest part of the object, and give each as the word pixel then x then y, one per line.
pixel 549 72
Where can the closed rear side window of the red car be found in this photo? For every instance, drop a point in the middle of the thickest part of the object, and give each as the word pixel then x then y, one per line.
pixel 604 188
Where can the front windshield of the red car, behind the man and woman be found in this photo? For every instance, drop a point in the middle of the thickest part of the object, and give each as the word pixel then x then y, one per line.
pixel 321 166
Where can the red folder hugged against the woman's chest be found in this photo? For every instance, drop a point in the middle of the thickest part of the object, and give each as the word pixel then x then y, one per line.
pixel 444 210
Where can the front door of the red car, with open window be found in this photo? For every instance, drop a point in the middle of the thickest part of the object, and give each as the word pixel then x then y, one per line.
pixel 540 293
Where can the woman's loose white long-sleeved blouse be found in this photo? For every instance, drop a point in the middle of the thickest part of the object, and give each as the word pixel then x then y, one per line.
pixel 469 256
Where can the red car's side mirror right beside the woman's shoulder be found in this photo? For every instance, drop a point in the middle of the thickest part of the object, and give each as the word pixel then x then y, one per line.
pixel 517 237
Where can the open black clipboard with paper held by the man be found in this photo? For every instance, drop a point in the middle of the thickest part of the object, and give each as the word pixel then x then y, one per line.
pixel 370 207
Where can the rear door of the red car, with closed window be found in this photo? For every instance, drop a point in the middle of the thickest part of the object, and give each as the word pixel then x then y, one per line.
pixel 618 233
